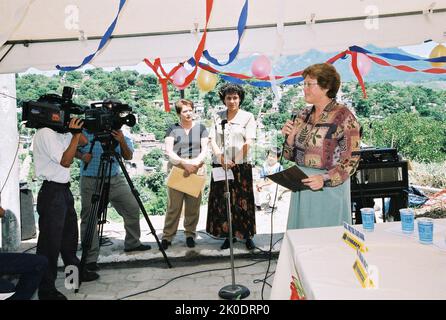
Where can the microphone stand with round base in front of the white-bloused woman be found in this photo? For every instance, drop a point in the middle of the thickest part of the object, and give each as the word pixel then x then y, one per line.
pixel 232 291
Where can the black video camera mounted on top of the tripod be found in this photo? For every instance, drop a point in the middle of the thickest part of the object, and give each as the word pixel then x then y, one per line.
pixel 103 117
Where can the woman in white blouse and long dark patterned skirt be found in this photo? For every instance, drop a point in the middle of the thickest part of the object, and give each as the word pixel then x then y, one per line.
pixel 238 127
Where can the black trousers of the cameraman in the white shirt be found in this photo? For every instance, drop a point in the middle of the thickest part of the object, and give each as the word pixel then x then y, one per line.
pixel 58 230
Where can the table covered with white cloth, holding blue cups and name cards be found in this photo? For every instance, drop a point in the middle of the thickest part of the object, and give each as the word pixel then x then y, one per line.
pixel 323 262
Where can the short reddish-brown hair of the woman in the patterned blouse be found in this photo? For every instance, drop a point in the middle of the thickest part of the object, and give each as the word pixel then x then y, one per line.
pixel 327 77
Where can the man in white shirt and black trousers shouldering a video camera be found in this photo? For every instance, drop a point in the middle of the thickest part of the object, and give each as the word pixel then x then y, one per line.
pixel 53 155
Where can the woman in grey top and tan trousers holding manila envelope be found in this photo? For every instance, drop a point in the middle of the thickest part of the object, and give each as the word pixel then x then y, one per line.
pixel 186 146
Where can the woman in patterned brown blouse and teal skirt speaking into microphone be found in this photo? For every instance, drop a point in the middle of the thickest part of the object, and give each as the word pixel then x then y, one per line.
pixel 324 142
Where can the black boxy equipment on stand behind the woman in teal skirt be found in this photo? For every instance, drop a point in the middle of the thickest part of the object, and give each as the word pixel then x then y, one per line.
pixel 381 174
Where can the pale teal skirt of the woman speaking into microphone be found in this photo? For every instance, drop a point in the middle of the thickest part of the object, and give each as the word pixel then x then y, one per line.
pixel 327 207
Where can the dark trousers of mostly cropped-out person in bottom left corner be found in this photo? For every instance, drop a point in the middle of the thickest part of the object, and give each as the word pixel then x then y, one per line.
pixel 30 269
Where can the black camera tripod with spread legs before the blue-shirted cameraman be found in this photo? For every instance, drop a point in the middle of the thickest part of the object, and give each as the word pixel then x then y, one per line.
pixel 100 197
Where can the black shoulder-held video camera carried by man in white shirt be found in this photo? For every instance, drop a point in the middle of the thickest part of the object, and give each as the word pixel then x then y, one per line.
pixel 51 111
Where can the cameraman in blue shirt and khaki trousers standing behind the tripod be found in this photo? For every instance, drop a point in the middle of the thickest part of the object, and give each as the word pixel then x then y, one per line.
pixel 120 195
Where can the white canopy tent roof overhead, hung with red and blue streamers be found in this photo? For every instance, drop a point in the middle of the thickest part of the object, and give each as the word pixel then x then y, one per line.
pixel 44 33
